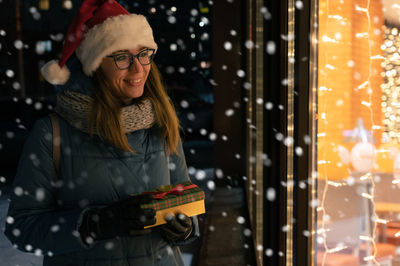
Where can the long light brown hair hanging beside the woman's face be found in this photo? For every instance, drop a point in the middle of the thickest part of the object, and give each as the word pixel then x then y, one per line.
pixel 105 111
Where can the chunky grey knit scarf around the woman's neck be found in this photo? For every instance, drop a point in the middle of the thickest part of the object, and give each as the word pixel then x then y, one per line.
pixel 74 107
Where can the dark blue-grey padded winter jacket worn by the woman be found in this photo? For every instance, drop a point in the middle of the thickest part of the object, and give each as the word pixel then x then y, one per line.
pixel 46 210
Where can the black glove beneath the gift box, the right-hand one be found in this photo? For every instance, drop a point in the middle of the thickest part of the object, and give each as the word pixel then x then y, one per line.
pixel 177 228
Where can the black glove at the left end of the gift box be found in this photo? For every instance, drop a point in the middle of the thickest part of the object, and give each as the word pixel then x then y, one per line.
pixel 122 218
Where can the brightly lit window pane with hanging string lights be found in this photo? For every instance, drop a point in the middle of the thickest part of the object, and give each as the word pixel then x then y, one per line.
pixel 358 150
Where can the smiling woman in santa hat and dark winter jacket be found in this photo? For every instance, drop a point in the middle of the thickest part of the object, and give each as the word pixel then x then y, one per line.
pixel 119 137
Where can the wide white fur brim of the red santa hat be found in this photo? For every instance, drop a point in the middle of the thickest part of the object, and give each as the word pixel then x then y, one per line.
pixel 123 32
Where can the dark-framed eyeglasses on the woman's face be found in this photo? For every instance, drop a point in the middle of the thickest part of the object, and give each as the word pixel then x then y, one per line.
pixel 125 60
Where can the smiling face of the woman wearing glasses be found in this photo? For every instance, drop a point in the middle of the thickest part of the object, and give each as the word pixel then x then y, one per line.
pixel 128 83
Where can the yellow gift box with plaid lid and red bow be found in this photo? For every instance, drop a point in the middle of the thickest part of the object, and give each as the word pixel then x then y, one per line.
pixel 186 198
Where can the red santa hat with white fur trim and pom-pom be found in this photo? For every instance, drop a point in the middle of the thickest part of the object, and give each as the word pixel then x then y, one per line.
pixel 100 28
